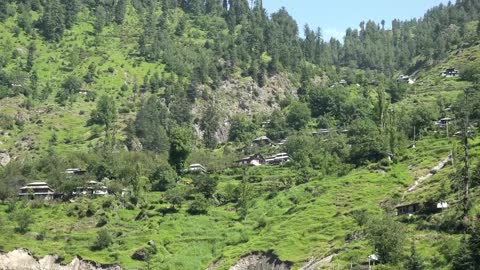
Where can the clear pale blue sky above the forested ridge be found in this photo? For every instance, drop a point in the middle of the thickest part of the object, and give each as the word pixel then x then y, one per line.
pixel 335 16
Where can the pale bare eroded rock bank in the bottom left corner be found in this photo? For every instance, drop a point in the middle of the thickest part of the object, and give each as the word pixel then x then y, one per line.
pixel 23 259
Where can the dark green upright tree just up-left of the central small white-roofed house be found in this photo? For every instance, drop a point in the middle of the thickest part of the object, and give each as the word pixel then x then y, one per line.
pixel 180 146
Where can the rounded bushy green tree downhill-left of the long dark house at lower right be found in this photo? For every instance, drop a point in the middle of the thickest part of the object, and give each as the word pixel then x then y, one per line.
pixel 386 236
